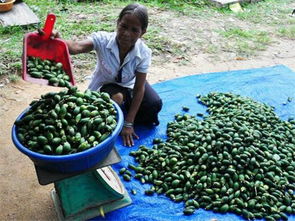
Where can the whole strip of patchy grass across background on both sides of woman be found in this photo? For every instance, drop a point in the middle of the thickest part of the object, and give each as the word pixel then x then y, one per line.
pixel 77 20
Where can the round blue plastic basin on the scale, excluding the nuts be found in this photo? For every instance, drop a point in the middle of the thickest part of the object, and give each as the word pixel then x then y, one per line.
pixel 76 162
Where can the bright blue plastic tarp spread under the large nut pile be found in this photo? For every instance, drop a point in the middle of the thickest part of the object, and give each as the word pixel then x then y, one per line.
pixel 271 85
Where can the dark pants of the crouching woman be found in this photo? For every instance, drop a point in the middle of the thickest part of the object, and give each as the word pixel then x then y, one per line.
pixel 150 106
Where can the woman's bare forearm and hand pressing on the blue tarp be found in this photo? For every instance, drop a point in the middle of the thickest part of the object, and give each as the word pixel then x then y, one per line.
pixel 138 92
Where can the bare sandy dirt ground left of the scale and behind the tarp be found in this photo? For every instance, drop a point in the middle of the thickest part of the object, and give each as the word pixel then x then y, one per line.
pixel 22 197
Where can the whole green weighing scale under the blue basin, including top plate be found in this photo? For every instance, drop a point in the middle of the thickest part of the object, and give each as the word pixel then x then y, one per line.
pixel 87 194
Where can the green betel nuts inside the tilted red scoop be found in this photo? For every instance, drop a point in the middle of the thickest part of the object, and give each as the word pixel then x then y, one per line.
pixel 50 70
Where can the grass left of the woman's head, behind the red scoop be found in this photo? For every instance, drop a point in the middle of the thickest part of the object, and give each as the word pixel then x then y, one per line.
pixel 74 21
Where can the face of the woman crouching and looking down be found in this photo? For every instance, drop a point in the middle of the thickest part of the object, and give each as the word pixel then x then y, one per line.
pixel 128 31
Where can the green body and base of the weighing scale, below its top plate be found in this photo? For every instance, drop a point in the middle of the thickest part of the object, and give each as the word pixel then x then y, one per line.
pixel 90 195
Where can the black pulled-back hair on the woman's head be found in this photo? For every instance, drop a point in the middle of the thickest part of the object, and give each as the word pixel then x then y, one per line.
pixel 139 11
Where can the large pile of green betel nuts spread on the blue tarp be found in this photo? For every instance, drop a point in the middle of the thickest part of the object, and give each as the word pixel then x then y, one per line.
pixel 239 159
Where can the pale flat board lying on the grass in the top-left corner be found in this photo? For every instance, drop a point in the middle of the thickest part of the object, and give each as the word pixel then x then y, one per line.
pixel 20 14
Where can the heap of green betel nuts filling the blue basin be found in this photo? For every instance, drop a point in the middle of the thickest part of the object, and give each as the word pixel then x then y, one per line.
pixel 67 122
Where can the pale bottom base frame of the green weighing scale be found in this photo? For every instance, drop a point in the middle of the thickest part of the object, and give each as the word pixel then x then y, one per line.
pixel 91 212
